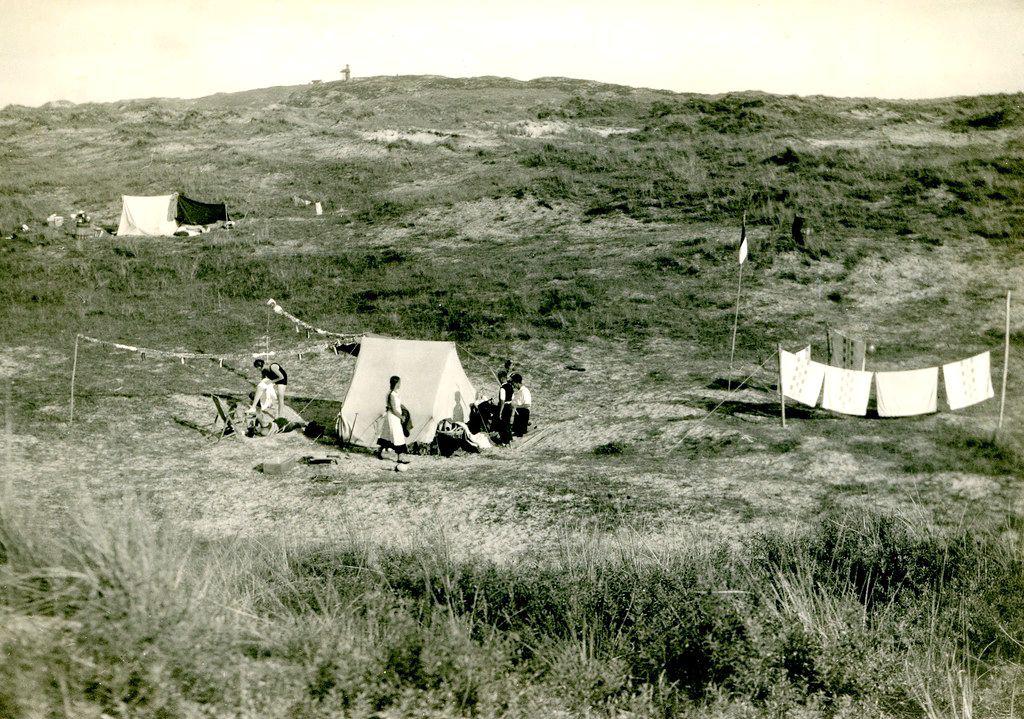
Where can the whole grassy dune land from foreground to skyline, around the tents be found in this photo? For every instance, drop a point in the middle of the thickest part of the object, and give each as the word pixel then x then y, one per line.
pixel 665 548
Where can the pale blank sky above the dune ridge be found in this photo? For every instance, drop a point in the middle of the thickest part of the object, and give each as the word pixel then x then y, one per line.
pixel 100 51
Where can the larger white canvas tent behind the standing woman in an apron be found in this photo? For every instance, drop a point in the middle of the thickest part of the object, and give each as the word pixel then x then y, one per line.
pixel 434 388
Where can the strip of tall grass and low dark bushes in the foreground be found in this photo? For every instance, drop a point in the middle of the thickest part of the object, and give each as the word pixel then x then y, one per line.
pixel 114 614
